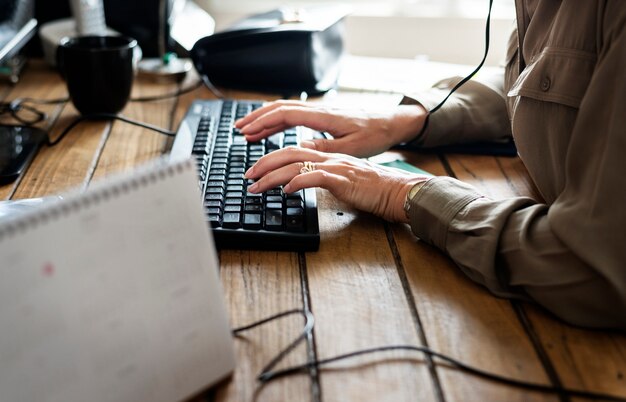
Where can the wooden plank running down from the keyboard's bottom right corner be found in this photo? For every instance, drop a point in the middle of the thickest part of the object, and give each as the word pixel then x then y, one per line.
pixel 358 303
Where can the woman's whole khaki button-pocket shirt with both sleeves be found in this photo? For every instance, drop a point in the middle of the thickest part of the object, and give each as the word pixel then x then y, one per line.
pixel 563 98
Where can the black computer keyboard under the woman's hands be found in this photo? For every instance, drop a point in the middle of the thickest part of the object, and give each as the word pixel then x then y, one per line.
pixel 273 220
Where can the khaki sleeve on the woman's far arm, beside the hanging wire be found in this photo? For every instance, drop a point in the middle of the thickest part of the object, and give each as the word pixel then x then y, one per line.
pixel 475 112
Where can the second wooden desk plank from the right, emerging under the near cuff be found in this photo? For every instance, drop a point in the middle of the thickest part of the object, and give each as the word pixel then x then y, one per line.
pixel 464 321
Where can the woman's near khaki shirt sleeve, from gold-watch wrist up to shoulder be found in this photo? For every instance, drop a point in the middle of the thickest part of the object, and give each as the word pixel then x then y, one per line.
pixel 569 255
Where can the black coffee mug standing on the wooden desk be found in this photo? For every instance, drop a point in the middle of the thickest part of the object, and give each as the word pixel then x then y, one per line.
pixel 99 71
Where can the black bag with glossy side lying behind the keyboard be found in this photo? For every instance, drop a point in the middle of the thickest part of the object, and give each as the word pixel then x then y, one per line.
pixel 276 52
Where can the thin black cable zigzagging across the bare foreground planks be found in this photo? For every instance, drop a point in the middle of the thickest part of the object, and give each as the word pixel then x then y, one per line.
pixel 267 375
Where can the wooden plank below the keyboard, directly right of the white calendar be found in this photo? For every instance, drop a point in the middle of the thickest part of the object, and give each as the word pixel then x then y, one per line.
pixel 258 285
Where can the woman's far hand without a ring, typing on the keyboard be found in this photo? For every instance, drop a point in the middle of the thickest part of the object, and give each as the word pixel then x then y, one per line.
pixel 356 133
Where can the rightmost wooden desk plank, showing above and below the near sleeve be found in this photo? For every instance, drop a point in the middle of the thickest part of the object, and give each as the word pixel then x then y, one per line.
pixel 583 359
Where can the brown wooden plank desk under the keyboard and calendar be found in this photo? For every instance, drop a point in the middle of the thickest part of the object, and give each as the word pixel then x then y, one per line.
pixel 370 284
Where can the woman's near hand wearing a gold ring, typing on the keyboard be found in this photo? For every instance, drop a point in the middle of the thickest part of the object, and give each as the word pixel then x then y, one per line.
pixel 362 184
